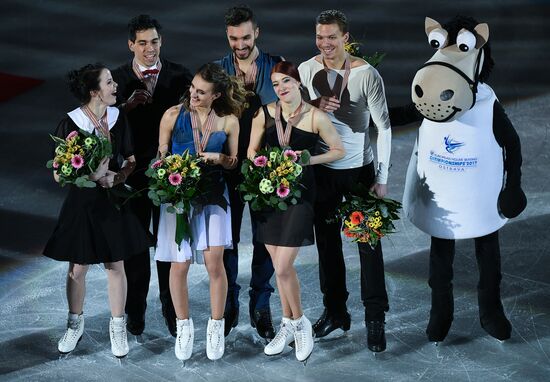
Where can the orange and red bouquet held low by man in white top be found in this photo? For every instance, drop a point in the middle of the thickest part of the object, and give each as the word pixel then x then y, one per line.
pixel 366 219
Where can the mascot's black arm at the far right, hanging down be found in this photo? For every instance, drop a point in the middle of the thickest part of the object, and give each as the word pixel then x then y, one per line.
pixel 512 200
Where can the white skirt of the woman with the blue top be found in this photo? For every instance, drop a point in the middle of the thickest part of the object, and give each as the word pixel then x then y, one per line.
pixel 209 228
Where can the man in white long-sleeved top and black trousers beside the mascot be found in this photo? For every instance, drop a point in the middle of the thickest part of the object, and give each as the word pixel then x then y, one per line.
pixel 351 91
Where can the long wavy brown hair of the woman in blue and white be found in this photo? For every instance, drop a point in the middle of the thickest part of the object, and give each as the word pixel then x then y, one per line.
pixel 232 99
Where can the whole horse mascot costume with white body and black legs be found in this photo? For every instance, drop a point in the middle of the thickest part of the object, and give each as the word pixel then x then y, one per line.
pixel 464 177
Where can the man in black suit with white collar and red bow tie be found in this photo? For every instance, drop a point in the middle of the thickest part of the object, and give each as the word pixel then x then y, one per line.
pixel 147 86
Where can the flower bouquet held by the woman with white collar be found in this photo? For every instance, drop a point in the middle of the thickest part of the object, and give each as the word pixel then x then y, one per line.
pixel 77 156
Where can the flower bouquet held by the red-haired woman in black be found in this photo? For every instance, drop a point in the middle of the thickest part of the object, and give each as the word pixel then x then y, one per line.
pixel 272 178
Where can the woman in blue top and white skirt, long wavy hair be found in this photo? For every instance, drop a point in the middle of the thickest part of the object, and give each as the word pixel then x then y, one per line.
pixel 205 123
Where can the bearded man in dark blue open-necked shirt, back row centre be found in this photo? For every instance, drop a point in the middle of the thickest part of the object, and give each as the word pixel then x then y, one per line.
pixel 253 67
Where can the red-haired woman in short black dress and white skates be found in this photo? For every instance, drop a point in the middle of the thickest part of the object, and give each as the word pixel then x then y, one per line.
pixel 284 232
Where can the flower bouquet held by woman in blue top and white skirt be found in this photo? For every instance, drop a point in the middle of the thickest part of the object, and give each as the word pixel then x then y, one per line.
pixel 176 180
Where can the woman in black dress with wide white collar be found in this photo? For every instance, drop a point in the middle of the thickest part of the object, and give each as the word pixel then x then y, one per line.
pixel 90 229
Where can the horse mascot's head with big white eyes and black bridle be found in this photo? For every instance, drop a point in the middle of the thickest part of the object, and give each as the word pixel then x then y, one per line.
pixel 445 87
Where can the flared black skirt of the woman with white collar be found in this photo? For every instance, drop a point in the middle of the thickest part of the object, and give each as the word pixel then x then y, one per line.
pixel 91 229
